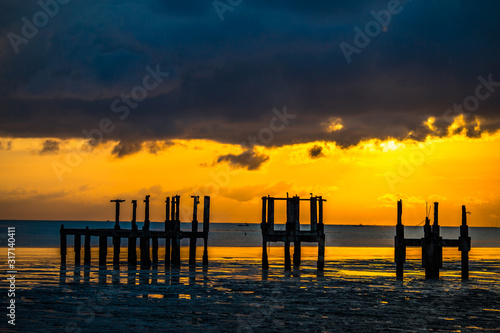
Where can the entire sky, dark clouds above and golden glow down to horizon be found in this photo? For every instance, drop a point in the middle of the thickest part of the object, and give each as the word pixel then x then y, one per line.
pixel 363 103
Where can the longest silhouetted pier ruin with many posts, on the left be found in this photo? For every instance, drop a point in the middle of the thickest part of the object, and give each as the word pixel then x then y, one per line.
pixel 148 239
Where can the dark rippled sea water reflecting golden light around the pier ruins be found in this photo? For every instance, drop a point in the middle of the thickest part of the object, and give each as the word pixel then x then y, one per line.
pixel 357 292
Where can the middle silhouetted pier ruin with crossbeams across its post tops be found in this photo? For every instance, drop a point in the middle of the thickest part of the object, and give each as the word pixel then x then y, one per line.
pixel 292 232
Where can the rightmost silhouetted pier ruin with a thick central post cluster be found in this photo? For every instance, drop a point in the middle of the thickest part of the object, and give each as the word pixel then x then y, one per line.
pixel 432 245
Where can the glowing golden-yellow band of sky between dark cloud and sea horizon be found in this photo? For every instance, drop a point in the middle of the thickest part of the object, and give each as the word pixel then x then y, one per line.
pixel 361 183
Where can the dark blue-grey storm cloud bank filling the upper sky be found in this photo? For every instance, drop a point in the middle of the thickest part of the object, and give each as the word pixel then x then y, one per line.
pixel 226 77
